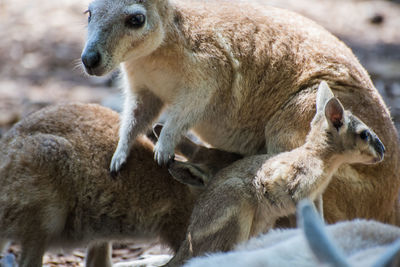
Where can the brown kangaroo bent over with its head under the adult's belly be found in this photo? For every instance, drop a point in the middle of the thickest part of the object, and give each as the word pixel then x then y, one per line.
pixel 56 190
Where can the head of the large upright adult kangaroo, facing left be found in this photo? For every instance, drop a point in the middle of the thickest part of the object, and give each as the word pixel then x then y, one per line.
pixel 120 30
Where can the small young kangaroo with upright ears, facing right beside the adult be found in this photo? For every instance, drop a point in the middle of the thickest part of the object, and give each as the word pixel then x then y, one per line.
pixel 247 197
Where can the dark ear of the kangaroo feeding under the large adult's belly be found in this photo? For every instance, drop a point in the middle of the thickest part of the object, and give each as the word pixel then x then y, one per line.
pixel 189 173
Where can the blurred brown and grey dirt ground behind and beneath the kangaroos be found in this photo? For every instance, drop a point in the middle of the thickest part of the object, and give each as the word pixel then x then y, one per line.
pixel 41 42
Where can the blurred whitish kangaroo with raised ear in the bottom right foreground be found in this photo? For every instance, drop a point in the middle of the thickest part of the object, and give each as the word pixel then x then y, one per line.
pixel 344 244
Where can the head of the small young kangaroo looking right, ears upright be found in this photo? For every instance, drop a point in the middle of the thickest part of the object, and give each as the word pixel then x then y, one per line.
pixel 347 135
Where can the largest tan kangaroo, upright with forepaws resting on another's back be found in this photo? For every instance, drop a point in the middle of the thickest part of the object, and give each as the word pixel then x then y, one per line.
pixel 243 77
